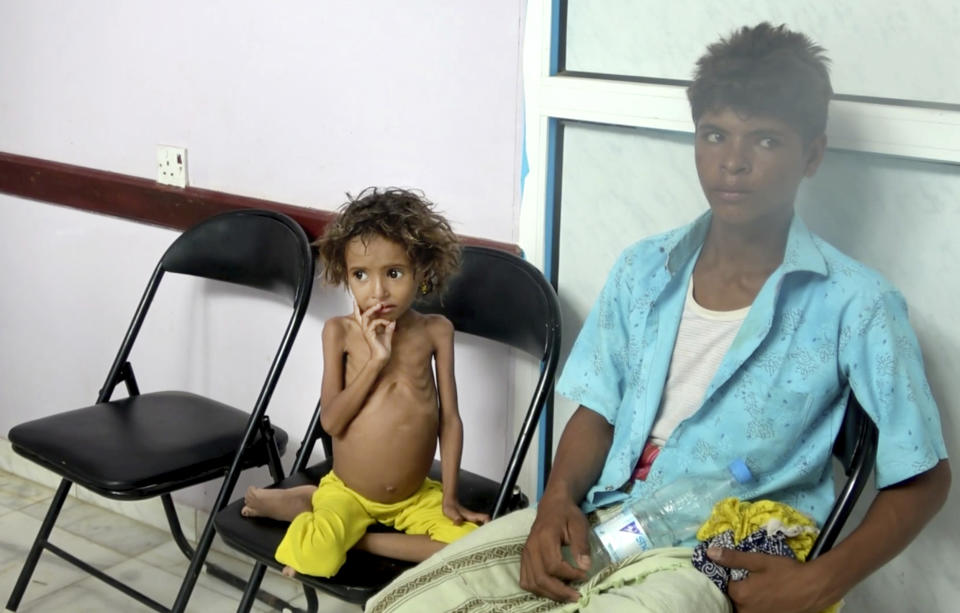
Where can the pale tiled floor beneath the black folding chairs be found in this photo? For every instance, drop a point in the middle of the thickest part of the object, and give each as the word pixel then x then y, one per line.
pixel 135 553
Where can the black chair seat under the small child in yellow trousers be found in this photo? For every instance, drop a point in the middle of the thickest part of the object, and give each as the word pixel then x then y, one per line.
pixel 363 574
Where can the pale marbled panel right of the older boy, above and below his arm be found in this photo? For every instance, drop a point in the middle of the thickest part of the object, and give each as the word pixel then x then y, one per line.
pixel 900 217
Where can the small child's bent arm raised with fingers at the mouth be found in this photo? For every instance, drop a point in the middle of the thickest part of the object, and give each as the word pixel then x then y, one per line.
pixel 340 404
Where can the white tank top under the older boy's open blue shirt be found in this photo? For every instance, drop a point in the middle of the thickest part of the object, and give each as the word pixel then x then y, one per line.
pixel 702 341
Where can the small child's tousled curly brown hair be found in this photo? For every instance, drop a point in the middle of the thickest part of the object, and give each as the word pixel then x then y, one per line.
pixel 402 216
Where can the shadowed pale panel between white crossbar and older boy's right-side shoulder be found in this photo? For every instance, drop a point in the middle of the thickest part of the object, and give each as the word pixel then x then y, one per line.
pixel 898 216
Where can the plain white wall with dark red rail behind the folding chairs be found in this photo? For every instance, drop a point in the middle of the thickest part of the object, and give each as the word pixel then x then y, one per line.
pixel 296 102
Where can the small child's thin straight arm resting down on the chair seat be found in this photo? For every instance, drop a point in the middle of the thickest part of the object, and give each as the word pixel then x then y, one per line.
pixel 451 426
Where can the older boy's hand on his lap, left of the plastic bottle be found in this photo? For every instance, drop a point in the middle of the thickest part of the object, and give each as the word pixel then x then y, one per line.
pixel 543 570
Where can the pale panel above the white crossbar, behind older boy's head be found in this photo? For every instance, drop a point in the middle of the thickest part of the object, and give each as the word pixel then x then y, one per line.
pixel 872 44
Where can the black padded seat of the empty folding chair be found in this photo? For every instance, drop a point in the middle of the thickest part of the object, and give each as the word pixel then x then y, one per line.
pixel 141 446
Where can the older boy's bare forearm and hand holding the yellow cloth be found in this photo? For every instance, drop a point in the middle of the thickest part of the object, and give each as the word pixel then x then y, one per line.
pixel 897 515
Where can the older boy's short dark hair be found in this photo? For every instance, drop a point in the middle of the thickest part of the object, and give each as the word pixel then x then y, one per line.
pixel 765 70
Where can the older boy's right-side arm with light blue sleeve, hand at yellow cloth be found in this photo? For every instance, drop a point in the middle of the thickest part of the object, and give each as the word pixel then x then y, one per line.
pixel 899 511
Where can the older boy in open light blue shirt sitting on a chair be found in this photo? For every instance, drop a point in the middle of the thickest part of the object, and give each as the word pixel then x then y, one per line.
pixel 739 335
